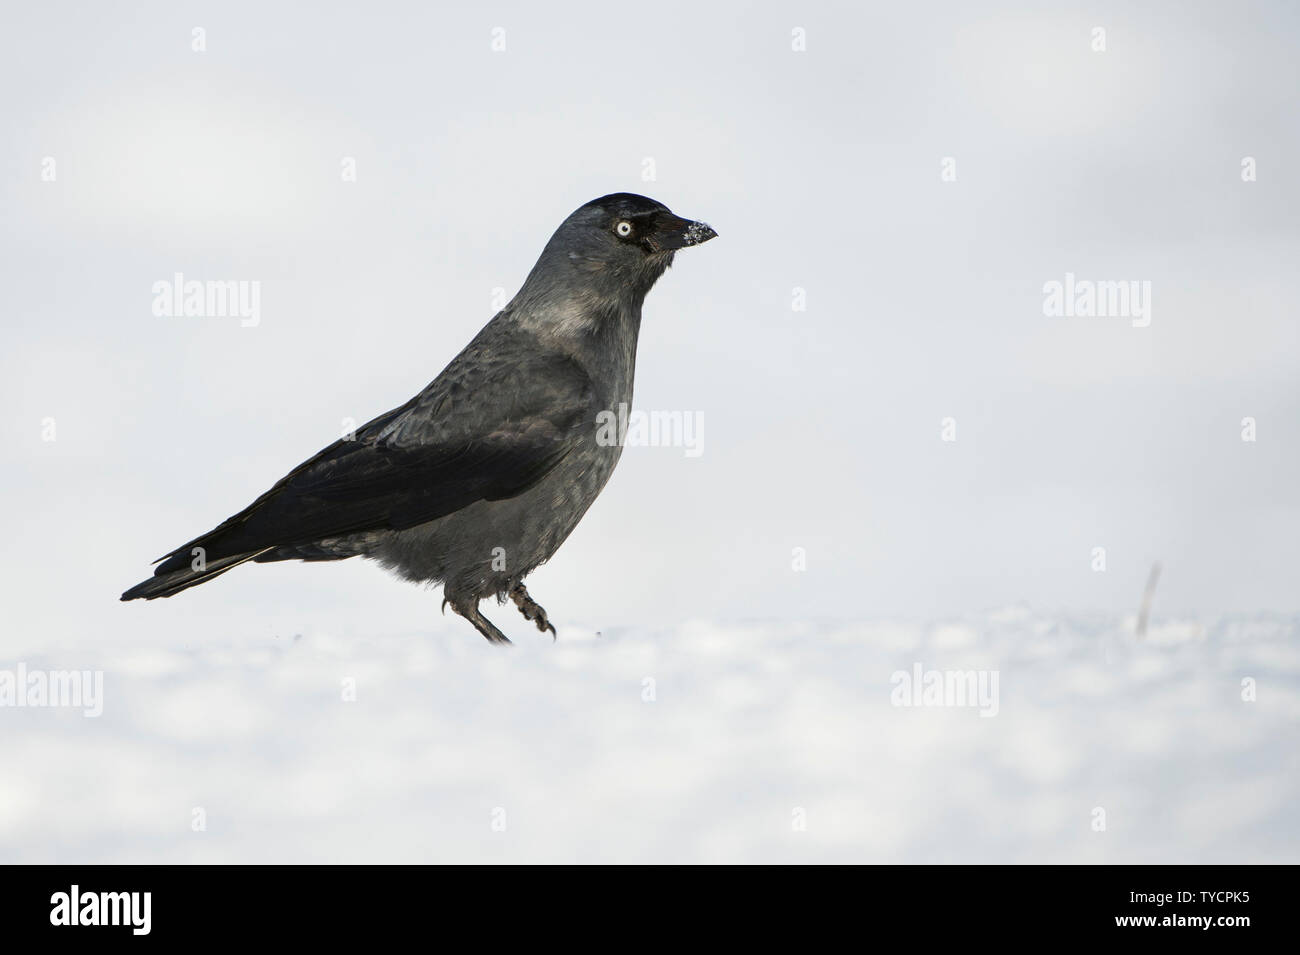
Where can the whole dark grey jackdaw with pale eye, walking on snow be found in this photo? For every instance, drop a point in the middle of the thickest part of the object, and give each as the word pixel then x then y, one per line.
pixel 480 477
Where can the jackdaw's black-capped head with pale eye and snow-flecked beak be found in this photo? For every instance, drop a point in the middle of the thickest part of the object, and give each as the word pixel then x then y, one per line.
pixel 618 246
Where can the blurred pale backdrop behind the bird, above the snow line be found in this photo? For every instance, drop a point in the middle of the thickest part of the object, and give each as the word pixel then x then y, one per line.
pixel 821 170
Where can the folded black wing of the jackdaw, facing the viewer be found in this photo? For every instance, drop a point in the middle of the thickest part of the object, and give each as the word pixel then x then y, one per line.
pixel 484 431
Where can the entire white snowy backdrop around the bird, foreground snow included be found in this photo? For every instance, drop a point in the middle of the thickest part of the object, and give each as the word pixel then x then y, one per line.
pixel 821 171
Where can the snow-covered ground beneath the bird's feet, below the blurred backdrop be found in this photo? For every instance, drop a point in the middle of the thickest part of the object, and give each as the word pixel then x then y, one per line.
pixel 709 743
